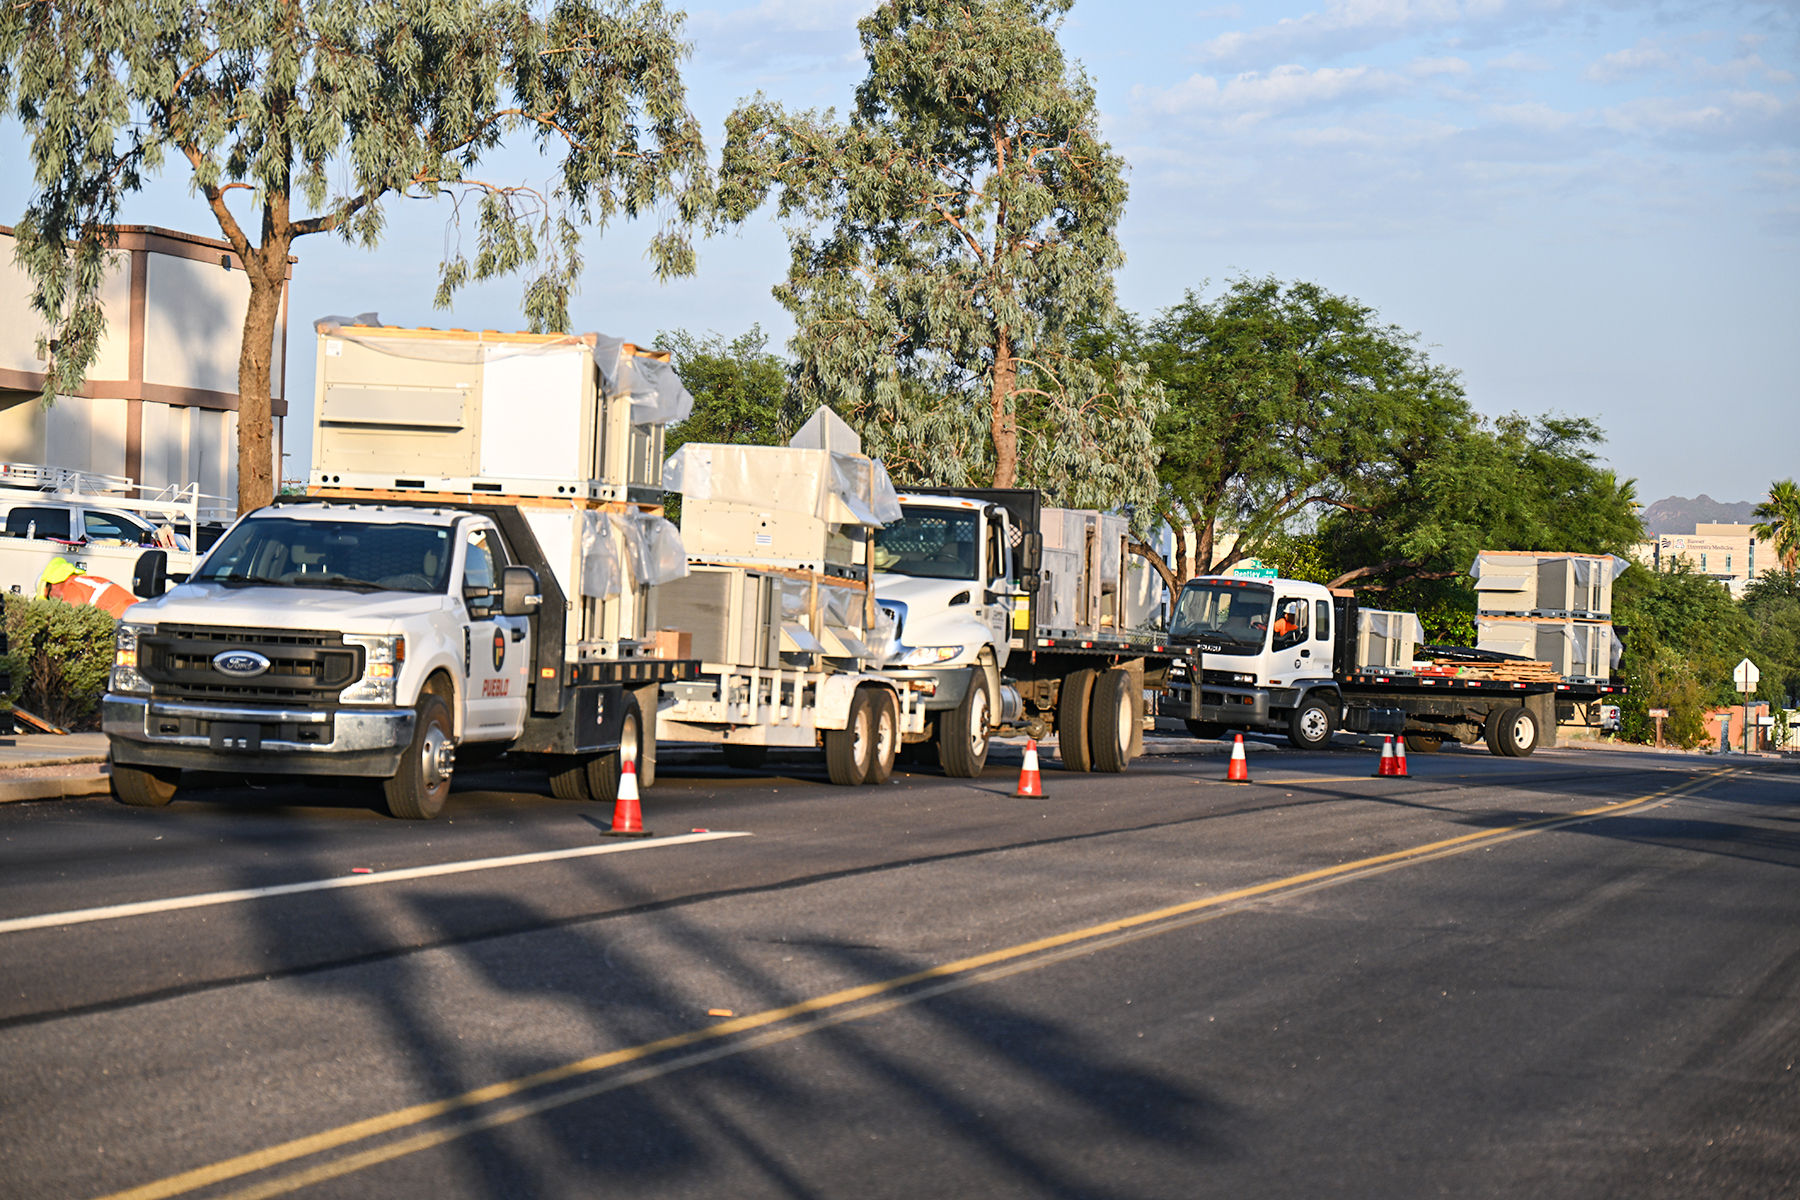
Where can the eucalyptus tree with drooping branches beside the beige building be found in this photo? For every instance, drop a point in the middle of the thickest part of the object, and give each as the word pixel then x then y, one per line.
pixel 323 111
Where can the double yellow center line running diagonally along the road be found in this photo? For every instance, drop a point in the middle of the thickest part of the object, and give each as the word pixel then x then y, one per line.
pixel 796 1021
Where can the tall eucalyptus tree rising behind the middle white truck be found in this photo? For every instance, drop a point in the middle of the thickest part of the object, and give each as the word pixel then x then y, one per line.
pixel 946 242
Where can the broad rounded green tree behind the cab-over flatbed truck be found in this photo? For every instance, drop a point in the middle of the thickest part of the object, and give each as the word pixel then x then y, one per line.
pixel 1282 400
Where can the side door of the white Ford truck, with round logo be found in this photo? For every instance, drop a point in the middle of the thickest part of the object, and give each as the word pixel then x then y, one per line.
pixel 496 649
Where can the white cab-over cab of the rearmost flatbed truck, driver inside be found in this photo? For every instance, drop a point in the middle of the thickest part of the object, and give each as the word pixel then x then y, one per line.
pixel 1266 659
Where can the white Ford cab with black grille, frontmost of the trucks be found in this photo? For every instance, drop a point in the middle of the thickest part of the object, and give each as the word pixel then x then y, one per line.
pixel 328 640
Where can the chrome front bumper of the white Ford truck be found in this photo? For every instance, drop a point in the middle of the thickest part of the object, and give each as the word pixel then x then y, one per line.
pixel 256 739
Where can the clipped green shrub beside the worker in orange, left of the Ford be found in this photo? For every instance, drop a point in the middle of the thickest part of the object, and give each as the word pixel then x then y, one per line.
pixel 60 656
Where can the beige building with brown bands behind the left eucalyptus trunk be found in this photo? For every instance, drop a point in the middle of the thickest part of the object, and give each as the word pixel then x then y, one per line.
pixel 161 404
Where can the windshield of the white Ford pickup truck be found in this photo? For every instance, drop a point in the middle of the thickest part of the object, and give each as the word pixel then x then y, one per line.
pixel 330 555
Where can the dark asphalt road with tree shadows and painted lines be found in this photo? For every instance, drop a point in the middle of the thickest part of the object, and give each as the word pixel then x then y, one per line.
pixel 1567 976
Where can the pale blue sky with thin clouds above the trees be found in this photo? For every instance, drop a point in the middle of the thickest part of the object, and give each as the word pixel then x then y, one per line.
pixel 1585 206
